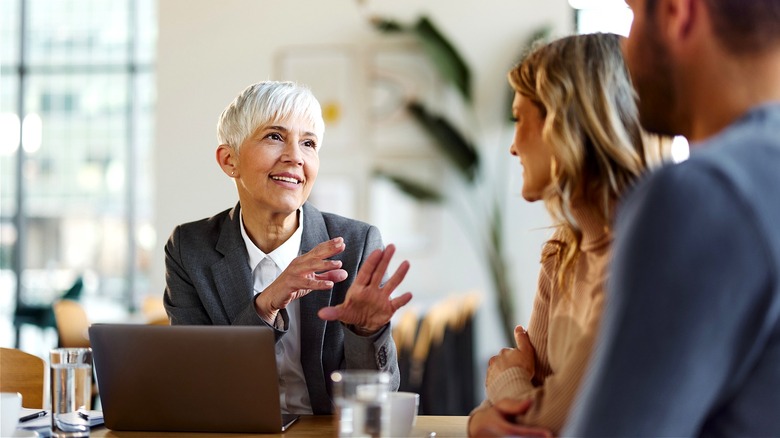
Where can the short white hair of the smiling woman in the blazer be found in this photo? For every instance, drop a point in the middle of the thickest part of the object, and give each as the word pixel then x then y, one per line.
pixel 266 102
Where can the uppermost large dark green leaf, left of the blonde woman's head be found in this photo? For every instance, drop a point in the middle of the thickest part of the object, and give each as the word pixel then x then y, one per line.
pixel 445 57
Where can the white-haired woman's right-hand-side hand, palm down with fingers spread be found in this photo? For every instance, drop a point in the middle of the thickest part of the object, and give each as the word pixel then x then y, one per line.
pixel 368 306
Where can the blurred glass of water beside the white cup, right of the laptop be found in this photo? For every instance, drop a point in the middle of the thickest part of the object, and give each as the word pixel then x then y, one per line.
pixel 360 397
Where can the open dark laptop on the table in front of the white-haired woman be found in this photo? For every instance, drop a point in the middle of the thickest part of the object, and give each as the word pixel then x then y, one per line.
pixel 188 378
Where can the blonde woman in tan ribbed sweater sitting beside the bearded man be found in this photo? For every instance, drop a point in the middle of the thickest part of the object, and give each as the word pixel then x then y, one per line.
pixel 579 141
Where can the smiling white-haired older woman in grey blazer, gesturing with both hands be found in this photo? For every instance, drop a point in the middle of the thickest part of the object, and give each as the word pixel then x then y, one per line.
pixel 274 260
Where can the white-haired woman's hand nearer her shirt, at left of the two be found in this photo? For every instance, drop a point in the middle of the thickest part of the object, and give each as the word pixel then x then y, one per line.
pixel 307 272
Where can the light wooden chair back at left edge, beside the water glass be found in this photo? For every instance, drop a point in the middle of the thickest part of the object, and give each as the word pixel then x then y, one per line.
pixel 23 373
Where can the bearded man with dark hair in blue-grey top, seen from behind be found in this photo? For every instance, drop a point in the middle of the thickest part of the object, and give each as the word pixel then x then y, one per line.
pixel 690 340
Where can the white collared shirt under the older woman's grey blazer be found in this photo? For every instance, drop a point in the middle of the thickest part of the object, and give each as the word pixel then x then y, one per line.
pixel 293 393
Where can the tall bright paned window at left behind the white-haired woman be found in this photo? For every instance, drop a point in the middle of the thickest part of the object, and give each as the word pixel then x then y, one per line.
pixel 76 114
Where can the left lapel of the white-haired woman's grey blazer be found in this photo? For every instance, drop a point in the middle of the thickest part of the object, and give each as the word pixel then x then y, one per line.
pixel 232 276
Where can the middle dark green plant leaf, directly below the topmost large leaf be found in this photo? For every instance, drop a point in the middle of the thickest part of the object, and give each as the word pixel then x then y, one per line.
pixel 451 143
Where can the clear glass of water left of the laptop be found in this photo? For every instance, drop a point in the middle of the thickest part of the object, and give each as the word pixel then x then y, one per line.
pixel 71 391
